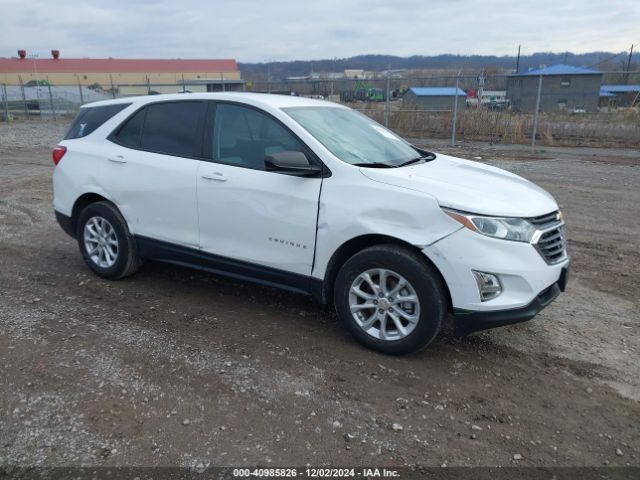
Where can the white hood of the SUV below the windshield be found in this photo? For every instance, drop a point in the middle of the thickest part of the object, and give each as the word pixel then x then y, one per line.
pixel 469 186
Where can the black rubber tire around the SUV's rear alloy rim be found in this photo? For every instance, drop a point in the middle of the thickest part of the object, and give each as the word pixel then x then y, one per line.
pixel 127 261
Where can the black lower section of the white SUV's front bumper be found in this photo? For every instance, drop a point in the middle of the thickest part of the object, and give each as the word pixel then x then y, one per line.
pixel 468 321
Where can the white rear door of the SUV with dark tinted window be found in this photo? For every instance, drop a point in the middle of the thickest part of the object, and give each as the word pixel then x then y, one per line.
pixel 151 170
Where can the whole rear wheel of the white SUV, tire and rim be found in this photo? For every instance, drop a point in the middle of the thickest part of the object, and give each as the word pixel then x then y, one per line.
pixel 105 242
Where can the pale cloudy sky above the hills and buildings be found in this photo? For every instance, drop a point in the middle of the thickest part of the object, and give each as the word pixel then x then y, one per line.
pixel 277 30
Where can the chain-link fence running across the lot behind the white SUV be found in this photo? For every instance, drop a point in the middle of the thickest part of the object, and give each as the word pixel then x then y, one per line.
pixel 460 107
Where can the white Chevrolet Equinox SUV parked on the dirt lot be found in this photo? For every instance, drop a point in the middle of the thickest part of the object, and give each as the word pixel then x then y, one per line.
pixel 313 197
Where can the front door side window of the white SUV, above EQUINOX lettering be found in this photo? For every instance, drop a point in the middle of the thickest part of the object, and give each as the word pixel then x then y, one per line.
pixel 245 137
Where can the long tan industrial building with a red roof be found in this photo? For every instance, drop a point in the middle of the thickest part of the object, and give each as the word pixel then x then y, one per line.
pixel 129 76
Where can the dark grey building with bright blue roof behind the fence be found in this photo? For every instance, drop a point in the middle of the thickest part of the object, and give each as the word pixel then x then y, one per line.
pixel 564 88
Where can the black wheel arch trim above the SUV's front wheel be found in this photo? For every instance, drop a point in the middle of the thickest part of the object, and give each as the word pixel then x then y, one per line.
pixel 357 244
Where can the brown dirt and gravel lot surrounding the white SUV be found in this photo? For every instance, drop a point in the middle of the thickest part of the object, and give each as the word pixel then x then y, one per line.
pixel 177 367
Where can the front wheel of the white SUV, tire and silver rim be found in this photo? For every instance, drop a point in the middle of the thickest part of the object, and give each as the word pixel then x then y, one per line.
pixel 390 299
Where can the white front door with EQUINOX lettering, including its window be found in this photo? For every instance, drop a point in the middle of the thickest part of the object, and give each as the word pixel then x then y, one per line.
pixel 246 213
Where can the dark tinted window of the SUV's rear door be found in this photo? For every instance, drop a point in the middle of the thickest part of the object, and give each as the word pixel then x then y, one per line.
pixel 172 128
